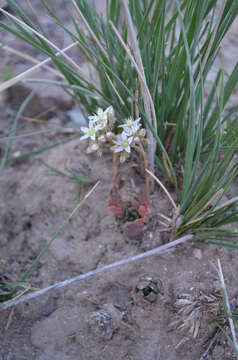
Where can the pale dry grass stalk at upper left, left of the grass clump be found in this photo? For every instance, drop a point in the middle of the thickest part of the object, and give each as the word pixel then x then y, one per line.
pixel 7 84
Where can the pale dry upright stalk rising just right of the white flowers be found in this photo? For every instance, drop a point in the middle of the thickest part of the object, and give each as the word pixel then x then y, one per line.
pixel 148 101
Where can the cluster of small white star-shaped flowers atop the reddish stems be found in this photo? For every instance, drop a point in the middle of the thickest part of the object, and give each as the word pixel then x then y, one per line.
pixel 100 130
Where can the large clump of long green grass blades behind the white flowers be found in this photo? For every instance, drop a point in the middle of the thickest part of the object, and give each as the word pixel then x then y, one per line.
pixel 152 59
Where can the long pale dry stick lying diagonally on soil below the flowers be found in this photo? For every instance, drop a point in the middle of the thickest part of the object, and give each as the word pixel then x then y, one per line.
pixel 79 278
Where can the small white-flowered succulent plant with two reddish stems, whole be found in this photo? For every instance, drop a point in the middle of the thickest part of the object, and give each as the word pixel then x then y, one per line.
pixel 122 140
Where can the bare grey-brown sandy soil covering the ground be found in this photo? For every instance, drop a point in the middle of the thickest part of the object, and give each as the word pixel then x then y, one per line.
pixel 107 316
